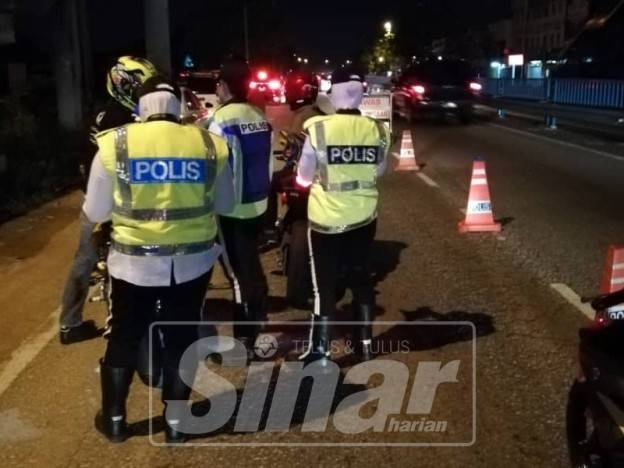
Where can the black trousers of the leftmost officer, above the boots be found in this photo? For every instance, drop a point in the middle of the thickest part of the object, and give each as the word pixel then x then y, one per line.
pixel 134 308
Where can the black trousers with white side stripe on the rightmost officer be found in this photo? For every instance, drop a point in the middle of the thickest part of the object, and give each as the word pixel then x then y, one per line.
pixel 335 257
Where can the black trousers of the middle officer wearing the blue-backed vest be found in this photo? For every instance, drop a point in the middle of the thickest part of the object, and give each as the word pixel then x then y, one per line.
pixel 240 238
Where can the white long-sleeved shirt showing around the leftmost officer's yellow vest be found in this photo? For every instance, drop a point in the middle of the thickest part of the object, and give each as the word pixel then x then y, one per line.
pixel 153 271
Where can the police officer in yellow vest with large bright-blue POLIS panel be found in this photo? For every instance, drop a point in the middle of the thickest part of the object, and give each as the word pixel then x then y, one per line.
pixel 161 182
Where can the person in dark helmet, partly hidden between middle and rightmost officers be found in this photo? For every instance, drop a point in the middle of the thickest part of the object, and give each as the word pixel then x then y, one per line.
pixel 301 91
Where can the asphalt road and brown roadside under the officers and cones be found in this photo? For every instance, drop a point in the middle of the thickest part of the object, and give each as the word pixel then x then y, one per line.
pixel 560 207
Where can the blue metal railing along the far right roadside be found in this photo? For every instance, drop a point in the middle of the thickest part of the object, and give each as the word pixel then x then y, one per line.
pixel 598 94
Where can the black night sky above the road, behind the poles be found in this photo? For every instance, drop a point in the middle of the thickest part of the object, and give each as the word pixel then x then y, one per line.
pixel 338 30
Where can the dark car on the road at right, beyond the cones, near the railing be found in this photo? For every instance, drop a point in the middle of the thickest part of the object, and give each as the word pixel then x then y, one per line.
pixel 437 88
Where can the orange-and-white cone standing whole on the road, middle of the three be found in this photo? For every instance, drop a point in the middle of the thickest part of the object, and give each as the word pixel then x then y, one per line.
pixel 479 216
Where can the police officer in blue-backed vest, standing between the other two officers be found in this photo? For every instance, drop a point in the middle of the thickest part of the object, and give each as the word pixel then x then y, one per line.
pixel 248 134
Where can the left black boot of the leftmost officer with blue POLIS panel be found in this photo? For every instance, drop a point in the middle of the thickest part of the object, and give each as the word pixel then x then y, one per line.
pixel 111 420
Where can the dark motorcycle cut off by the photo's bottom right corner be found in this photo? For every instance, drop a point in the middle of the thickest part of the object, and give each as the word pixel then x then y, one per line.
pixel 595 408
